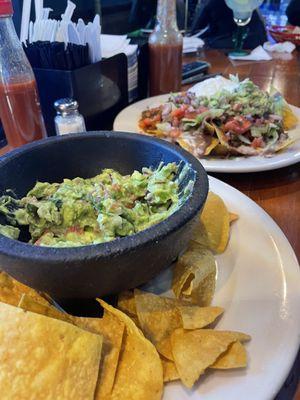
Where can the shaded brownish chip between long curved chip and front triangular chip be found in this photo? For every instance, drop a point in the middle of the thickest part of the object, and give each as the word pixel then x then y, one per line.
pixel 158 317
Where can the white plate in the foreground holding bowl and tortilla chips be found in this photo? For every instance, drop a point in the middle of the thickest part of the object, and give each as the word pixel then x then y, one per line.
pixel 258 284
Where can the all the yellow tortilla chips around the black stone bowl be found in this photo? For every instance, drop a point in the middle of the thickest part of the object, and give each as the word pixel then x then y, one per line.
pixel 132 350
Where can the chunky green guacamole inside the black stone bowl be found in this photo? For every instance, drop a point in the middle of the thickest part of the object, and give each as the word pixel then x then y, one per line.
pixel 80 212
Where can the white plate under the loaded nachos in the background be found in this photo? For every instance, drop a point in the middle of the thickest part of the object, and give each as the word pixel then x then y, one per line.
pixel 127 121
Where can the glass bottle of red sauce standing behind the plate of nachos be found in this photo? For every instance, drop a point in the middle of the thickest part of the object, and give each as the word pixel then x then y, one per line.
pixel 165 51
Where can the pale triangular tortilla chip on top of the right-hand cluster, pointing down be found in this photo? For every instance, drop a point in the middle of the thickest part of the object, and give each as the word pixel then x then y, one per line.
pixel 194 351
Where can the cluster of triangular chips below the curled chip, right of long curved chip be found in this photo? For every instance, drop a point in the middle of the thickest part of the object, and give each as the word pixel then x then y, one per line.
pixel 179 332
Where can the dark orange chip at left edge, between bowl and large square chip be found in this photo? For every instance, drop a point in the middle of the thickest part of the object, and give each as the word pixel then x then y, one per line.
pixel 11 291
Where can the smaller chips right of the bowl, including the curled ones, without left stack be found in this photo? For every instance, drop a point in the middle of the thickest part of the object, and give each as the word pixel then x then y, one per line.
pixel 180 328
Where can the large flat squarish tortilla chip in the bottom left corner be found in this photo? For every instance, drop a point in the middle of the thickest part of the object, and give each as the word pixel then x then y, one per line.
pixel 45 357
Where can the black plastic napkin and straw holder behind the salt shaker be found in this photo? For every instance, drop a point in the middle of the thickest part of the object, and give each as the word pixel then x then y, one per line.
pixel 101 90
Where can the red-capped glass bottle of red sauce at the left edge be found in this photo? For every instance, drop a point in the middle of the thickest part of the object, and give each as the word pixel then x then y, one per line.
pixel 20 111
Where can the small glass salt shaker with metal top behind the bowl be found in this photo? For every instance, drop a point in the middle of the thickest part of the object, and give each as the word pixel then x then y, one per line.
pixel 68 119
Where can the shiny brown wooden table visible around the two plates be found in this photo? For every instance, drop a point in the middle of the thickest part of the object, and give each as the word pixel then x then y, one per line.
pixel 277 192
